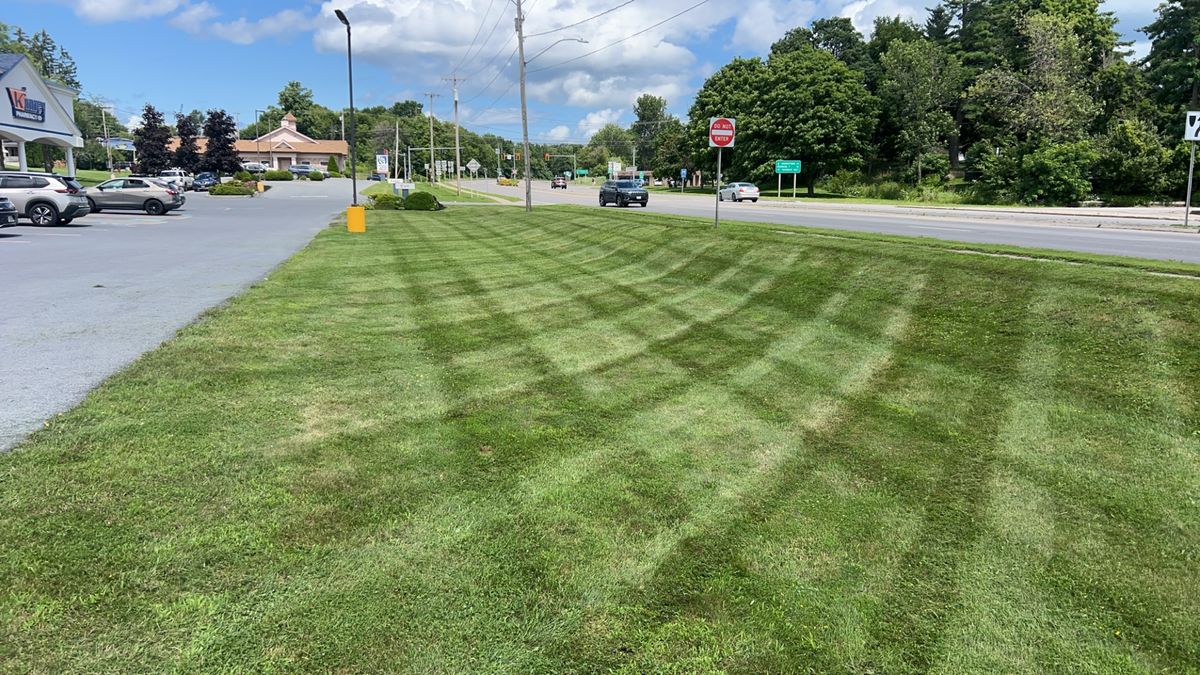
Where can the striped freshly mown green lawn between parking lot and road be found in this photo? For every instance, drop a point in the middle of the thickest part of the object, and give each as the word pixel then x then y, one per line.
pixel 578 441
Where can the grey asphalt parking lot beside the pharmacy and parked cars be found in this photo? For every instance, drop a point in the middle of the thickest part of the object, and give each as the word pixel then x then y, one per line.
pixel 85 301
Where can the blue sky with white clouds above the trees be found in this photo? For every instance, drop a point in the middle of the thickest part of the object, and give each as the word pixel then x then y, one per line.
pixel 237 56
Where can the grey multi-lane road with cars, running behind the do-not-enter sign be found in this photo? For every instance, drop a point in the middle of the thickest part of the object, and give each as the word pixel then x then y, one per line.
pixel 1088 232
